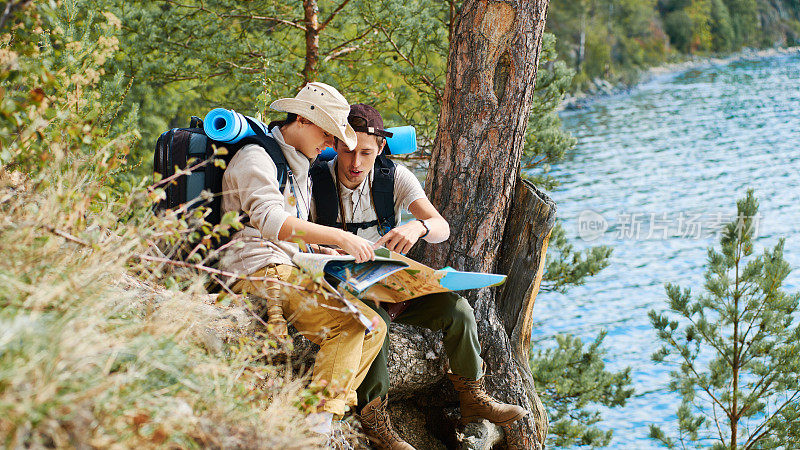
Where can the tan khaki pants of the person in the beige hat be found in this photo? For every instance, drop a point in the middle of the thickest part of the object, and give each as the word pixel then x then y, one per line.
pixel 346 352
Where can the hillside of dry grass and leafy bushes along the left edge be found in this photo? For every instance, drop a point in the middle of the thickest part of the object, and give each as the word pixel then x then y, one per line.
pixel 94 350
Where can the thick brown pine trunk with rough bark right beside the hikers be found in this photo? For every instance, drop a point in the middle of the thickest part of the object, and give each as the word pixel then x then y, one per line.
pixel 474 170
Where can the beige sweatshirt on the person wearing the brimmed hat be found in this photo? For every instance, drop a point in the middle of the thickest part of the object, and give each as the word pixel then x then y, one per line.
pixel 250 184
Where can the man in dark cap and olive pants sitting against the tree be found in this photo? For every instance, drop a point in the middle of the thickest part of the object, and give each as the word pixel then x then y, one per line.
pixel 349 192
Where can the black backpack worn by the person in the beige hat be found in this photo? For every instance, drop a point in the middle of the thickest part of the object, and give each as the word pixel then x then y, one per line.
pixel 182 147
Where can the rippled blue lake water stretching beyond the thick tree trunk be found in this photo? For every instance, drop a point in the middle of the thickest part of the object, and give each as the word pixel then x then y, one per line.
pixel 677 152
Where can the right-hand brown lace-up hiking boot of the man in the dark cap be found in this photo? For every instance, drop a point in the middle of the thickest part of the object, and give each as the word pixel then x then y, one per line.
pixel 476 404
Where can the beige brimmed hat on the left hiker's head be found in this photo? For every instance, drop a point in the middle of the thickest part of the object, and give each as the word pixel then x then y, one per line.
pixel 323 105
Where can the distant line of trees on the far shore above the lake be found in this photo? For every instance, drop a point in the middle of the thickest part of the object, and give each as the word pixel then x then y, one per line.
pixel 614 39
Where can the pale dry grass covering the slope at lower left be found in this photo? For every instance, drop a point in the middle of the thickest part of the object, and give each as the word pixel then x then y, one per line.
pixel 89 360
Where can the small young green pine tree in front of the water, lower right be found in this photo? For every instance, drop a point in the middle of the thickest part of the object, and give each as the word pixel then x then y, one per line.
pixel 735 347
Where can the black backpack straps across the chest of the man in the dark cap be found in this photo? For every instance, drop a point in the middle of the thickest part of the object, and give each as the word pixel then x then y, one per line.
pixel 323 194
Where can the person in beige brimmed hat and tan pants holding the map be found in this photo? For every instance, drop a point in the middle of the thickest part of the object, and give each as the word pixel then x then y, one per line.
pixel 316 117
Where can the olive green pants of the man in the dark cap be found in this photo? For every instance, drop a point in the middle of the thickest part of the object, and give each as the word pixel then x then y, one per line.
pixel 446 311
